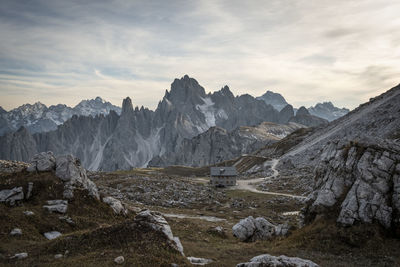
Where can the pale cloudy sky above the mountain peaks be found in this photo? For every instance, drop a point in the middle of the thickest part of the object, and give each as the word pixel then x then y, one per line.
pixel 344 51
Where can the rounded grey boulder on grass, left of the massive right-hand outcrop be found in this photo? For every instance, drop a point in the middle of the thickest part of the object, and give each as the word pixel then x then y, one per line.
pixel 250 229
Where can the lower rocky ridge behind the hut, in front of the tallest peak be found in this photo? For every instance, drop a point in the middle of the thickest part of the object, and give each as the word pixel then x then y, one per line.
pixel 217 144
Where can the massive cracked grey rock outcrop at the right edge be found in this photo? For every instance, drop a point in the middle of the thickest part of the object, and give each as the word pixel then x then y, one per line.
pixel 358 181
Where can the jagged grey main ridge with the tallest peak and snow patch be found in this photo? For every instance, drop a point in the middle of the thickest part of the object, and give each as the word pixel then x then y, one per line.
pixel 132 139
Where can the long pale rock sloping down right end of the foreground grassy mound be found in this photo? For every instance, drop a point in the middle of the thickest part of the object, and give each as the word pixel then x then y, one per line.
pixel 157 222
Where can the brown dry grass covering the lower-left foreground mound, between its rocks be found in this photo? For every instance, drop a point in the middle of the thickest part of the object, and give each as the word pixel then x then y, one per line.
pixel 97 238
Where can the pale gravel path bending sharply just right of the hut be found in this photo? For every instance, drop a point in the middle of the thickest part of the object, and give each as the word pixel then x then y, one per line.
pixel 250 185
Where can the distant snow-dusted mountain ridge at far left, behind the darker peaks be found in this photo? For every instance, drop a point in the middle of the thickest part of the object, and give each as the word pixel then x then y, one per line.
pixel 38 117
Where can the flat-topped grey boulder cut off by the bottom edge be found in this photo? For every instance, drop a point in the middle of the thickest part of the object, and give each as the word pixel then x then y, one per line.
pixel 281 261
